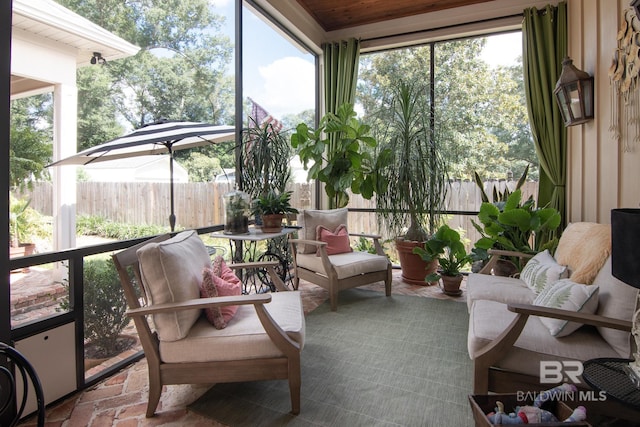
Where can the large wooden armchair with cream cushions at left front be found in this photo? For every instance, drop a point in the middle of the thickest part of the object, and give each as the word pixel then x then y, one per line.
pixel 262 341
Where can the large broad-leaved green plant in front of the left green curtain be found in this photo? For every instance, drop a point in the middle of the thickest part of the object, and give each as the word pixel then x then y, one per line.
pixel 339 151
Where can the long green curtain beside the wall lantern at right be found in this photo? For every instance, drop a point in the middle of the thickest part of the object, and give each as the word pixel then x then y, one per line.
pixel 544 35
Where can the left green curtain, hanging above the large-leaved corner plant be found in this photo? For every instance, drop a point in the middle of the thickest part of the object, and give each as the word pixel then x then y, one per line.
pixel 341 61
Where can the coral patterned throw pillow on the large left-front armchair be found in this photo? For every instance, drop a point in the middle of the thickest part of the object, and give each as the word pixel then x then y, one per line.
pixel 220 281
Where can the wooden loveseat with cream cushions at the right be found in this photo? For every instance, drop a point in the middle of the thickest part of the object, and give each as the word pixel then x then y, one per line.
pixel 509 335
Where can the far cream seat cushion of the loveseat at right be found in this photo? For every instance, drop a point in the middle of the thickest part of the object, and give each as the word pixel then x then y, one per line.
pixel 497 288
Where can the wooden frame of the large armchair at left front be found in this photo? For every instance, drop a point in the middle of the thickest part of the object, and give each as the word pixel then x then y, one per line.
pixel 161 373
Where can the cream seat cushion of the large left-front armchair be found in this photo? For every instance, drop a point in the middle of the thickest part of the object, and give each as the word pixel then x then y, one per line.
pixel 243 338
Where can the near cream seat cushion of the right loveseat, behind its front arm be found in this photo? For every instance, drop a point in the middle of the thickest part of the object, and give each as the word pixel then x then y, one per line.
pixel 488 319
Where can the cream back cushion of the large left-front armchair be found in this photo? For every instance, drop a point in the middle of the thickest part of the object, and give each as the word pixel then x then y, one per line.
pixel 171 271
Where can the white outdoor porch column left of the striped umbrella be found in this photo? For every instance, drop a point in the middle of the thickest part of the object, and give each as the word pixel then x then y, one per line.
pixel 65 111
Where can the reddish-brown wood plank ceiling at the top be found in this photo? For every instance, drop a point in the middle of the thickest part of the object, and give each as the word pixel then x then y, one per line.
pixel 339 14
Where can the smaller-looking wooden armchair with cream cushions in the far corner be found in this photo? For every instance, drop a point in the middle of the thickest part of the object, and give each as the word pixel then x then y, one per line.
pixel 313 262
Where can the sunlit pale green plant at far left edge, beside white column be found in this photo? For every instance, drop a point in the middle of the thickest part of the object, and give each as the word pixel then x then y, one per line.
pixel 25 223
